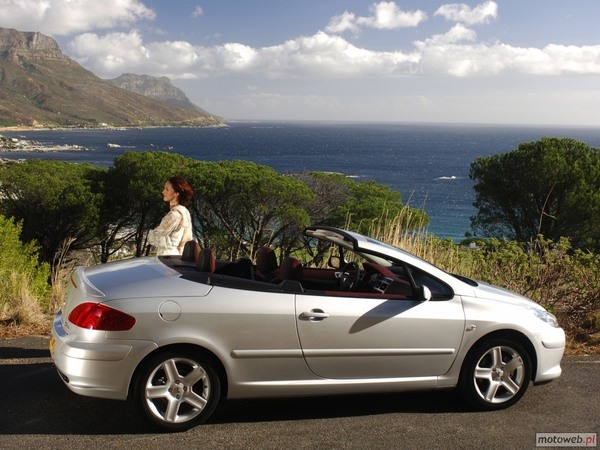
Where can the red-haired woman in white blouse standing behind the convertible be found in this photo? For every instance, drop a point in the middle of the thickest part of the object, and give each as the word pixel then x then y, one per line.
pixel 175 229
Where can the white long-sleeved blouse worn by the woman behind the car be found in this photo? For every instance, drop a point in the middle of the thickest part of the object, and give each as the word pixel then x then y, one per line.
pixel 174 231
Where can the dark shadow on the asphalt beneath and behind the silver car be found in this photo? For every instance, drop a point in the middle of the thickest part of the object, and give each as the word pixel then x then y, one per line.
pixel 35 401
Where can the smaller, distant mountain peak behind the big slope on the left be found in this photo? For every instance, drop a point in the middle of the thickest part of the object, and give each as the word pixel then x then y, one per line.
pixel 158 88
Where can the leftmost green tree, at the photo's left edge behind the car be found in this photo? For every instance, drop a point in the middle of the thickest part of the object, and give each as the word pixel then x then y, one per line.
pixel 55 202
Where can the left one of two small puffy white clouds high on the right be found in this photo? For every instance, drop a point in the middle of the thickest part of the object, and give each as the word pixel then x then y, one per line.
pixel 385 16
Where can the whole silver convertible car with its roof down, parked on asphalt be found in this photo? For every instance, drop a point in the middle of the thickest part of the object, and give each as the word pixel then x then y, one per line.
pixel 350 314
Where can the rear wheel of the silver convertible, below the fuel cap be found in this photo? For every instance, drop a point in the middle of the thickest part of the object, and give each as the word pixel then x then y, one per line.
pixel 176 390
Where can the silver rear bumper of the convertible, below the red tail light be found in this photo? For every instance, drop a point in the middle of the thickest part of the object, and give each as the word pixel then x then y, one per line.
pixel 92 365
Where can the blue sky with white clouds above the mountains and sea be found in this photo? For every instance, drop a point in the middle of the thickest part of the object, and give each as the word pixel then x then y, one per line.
pixel 525 62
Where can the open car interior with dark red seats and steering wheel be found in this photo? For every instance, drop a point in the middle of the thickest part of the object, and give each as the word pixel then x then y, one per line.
pixel 340 278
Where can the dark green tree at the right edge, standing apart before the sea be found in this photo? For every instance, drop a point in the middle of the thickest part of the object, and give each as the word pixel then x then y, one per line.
pixel 549 187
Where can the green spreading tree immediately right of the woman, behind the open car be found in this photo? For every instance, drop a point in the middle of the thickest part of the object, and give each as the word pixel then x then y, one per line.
pixel 241 205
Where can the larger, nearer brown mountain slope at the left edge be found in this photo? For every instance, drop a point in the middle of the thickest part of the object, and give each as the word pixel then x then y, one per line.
pixel 39 85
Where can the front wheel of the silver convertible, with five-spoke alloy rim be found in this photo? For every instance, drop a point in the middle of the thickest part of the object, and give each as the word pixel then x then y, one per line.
pixel 495 374
